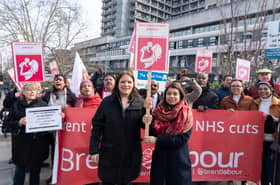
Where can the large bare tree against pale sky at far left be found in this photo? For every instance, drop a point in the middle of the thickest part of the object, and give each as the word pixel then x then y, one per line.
pixel 55 23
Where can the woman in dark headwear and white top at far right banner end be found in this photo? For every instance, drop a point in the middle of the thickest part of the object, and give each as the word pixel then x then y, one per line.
pixel 270 106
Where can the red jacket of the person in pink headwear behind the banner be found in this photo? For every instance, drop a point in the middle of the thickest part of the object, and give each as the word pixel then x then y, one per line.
pixel 88 102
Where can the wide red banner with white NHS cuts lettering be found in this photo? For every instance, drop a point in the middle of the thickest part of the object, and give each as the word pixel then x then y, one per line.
pixel 224 146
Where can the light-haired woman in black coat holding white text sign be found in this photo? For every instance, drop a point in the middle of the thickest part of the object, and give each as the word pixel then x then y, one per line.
pixel 31 149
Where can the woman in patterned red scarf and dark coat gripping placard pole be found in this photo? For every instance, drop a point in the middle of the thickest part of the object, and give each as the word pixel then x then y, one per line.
pixel 172 127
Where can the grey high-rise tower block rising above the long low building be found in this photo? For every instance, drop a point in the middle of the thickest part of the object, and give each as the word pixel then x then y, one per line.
pixel 119 16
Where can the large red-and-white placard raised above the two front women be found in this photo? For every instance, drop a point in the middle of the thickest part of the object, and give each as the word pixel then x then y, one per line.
pixel 151 46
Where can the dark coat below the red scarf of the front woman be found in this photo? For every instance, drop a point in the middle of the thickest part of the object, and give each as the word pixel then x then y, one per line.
pixel 171 161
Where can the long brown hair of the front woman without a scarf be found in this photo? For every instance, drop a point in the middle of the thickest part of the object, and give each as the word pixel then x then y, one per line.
pixel 116 93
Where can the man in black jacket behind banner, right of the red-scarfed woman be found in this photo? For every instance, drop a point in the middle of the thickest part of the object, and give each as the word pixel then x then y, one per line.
pixel 208 98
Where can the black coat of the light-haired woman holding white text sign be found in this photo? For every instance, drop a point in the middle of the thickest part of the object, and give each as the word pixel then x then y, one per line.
pixel 31 149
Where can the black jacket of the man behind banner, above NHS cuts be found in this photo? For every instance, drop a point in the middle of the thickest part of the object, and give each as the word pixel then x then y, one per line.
pixel 208 98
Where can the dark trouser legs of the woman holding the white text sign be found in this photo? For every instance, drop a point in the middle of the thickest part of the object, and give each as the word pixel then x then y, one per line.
pixel 34 176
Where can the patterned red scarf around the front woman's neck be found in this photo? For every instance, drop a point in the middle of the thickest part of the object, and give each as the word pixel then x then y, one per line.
pixel 174 122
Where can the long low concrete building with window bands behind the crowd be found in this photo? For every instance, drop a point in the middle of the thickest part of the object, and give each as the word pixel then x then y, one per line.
pixel 201 29
